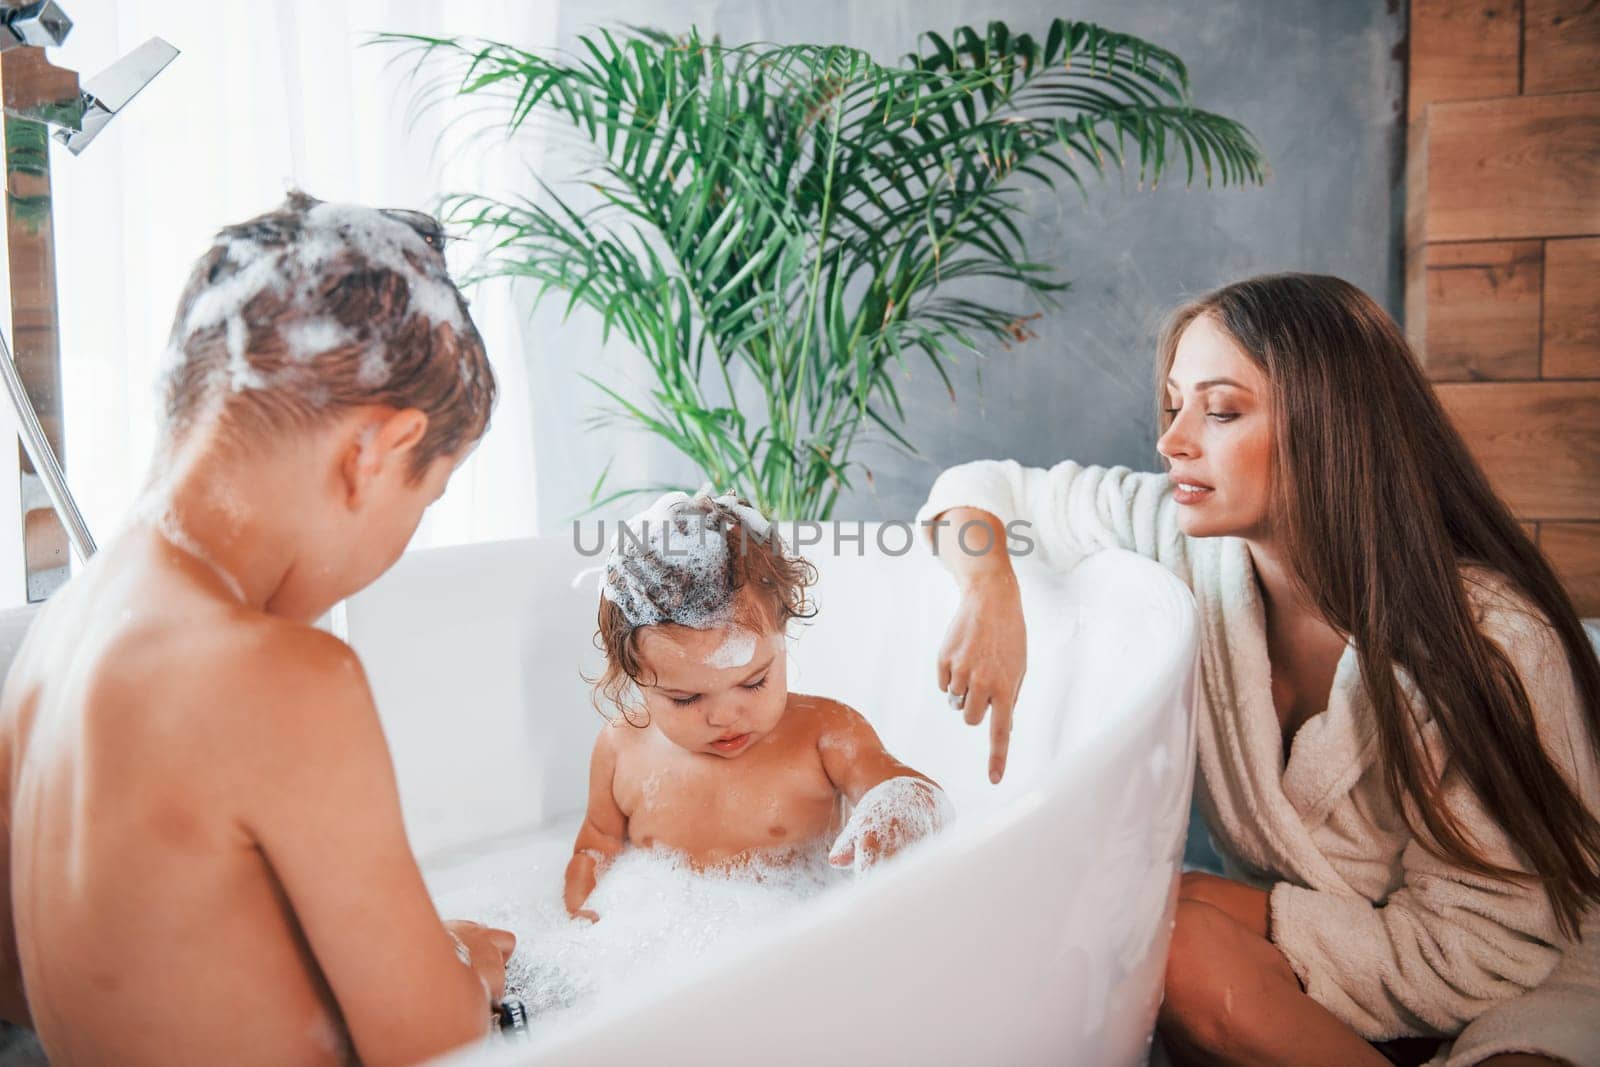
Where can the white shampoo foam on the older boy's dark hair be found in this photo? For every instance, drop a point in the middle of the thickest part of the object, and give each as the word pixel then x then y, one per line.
pixel 334 239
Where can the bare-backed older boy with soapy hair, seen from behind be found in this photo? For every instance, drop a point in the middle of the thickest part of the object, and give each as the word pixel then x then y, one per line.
pixel 204 852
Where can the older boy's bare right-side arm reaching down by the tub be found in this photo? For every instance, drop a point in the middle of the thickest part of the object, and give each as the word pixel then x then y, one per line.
pixel 321 801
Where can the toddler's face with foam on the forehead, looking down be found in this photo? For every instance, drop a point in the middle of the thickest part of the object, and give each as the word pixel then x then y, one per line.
pixel 716 692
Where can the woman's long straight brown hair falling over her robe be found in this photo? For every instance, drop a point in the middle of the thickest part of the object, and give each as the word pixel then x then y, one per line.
pixel 1378 505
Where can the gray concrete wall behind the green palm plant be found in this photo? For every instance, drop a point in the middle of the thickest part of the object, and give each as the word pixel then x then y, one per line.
pixel 1319 82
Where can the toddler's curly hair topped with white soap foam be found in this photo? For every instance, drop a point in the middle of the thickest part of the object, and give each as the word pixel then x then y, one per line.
pixel 705 564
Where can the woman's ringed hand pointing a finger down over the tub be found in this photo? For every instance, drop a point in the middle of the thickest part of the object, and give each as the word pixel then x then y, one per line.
pixel 985 657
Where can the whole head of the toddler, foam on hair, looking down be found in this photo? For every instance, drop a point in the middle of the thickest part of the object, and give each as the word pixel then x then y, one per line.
pixel 695 609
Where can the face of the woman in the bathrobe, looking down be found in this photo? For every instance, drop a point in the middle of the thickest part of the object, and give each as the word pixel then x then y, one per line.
pixel 1220 442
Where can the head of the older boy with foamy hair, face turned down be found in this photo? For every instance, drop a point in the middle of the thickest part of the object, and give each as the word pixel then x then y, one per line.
pixel 332 338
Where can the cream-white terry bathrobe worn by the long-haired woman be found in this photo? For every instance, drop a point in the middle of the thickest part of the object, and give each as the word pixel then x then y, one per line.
pixel 1383 933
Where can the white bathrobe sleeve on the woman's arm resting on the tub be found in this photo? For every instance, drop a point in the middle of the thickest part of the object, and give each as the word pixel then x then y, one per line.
pixel 1070 511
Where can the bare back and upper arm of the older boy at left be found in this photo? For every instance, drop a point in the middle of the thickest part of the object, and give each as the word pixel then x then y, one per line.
pixel 199 810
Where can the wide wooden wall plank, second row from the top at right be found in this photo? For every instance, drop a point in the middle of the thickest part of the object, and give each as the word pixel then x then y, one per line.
pixel 1511 169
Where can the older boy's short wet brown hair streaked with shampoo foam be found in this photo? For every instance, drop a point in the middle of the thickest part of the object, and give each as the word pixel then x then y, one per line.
pixel 316 310
